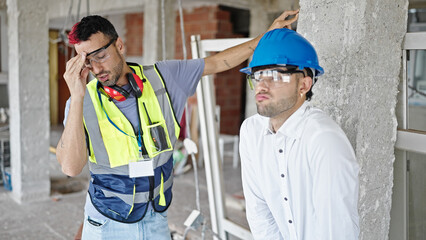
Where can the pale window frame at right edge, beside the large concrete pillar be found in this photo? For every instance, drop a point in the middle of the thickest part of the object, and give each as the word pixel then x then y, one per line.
pixel 407 140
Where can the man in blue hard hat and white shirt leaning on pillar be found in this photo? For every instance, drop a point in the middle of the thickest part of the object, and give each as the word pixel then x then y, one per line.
pixel 299 171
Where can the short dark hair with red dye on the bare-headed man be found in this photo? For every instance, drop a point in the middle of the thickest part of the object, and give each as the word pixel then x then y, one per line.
pixel 90 25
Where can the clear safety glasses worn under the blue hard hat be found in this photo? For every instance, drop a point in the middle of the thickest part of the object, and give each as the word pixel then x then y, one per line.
pixel 271 77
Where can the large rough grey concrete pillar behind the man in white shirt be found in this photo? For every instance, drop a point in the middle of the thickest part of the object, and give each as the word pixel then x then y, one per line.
pixel 359 46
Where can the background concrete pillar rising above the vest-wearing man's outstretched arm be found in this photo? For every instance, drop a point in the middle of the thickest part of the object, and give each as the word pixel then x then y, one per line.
pixel 152 37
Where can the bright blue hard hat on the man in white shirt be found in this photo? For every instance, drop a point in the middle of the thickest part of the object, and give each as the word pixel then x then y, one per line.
pixel 284 47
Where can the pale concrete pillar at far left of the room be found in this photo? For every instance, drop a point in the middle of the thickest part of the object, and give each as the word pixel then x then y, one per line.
pixel 29 103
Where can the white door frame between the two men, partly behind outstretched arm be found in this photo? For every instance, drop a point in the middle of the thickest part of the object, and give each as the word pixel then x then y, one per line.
pixel 209 137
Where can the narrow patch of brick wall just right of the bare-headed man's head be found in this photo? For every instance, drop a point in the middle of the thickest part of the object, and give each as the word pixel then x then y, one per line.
pixel 134 34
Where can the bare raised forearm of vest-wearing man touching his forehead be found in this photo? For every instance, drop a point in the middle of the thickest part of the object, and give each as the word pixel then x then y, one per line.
pixel 71 151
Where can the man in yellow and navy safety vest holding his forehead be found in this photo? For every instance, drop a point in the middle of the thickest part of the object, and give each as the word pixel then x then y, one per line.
pixel 125 122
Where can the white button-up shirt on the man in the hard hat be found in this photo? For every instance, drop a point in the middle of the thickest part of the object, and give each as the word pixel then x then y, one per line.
pixel 302 181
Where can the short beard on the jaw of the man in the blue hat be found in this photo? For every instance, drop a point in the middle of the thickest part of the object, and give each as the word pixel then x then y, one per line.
pixel 275 108
